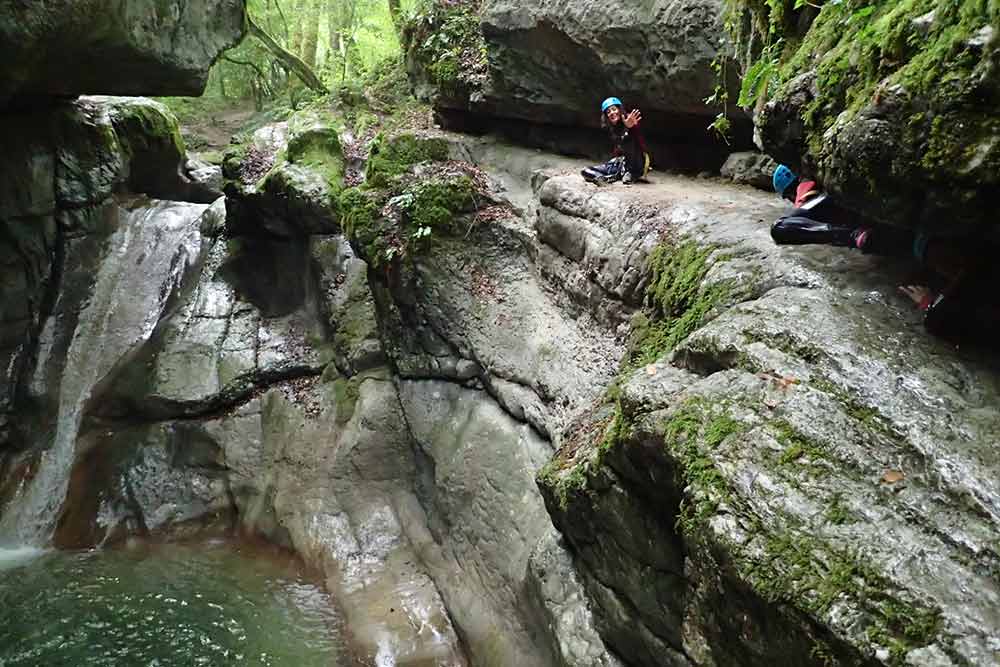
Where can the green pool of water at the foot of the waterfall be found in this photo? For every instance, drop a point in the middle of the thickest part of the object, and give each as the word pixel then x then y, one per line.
pixel 217 603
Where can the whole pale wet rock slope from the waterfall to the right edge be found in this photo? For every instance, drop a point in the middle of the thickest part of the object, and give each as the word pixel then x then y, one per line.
pixel 786 470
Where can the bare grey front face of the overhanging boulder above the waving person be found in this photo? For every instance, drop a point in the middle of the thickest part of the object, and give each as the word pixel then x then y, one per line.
pixel 554 61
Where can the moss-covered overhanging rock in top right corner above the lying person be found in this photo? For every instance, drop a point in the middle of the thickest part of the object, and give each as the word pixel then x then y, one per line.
pixel 891 105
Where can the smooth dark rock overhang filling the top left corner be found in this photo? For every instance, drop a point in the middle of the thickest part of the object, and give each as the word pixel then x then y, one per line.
pixel 139 47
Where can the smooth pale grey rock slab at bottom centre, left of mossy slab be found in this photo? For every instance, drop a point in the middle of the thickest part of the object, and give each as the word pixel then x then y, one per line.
pixel 485 522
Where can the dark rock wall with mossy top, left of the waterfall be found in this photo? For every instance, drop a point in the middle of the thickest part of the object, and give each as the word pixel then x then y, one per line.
pixel 60 171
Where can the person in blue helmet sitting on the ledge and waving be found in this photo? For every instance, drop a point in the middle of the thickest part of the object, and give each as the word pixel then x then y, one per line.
pixel 630 159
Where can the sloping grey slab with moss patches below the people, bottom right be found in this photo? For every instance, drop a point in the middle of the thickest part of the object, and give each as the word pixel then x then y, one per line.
pixel 808 472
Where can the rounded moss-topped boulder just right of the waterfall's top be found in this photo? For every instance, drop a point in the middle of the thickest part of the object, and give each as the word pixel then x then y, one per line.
pixel 285 180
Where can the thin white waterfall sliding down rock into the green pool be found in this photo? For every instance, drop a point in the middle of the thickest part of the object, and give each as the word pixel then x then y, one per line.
pixel 145 261
